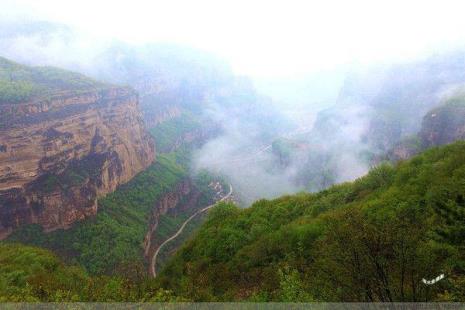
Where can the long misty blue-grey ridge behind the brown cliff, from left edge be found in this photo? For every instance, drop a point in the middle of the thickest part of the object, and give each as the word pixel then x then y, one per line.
pixel 169 78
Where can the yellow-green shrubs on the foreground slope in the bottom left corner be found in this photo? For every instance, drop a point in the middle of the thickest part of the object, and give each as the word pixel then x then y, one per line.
pixel 30 274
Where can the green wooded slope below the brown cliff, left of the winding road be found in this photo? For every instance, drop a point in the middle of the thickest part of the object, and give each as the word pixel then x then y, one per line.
pixel 113 239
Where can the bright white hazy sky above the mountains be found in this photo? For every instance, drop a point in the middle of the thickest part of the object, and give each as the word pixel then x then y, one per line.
pixel 268 37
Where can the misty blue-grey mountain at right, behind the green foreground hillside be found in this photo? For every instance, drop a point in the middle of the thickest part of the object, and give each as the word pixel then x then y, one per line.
pixel 379 111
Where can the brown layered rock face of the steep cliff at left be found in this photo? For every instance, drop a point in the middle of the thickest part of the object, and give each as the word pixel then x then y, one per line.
pixel 59 154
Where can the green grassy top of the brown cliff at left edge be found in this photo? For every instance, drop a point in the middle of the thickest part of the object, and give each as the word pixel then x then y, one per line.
pixel 19 83
